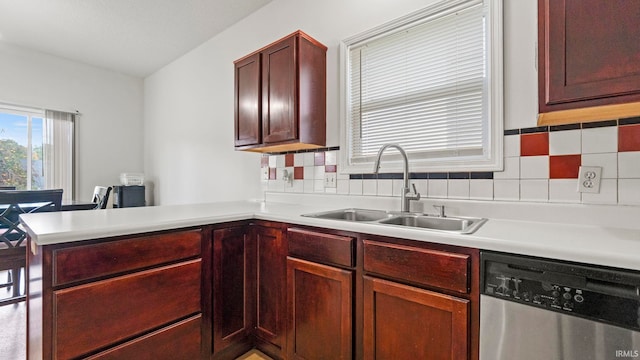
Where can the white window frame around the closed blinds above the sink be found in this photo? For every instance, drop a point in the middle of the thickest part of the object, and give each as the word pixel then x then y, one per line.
pixel 494 108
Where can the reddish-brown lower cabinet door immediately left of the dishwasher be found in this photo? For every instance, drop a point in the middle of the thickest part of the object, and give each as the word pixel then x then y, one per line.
pixel 404 322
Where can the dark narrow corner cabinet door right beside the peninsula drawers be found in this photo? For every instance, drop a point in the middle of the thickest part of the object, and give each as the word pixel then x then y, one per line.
pixel 232 288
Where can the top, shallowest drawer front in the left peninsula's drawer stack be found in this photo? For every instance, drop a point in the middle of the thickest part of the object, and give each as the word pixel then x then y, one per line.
pixel 102 259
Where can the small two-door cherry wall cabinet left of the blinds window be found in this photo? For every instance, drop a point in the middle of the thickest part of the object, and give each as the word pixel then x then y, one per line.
pixel 280 96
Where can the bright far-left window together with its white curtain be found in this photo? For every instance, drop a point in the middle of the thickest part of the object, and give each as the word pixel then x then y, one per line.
pixel 37 149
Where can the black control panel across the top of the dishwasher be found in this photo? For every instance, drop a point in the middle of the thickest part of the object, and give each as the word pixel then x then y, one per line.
pixel 603 294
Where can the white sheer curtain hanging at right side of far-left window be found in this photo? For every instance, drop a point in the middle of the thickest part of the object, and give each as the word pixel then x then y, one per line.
pixel 57 152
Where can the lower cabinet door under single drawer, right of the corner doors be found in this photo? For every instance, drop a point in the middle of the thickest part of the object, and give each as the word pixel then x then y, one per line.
pixel 319 310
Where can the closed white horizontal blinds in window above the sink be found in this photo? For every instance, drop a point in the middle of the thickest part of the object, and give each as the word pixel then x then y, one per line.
pixel 421 87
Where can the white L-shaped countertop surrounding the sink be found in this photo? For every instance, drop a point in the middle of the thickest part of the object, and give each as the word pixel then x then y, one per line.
pixel 604 245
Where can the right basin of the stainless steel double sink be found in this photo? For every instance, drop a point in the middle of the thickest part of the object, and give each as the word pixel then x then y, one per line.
pixel 463 225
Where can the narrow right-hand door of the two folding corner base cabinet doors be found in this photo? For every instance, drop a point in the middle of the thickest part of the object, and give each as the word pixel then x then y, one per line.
pixel 270 287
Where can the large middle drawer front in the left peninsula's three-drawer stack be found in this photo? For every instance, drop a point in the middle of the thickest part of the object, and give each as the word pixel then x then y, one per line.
pixel 94 316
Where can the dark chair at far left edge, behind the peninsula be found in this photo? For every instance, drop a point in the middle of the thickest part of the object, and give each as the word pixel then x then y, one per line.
pixel 13 253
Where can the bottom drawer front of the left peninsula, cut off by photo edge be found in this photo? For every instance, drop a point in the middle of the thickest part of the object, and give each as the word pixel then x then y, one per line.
pixel 179 341
